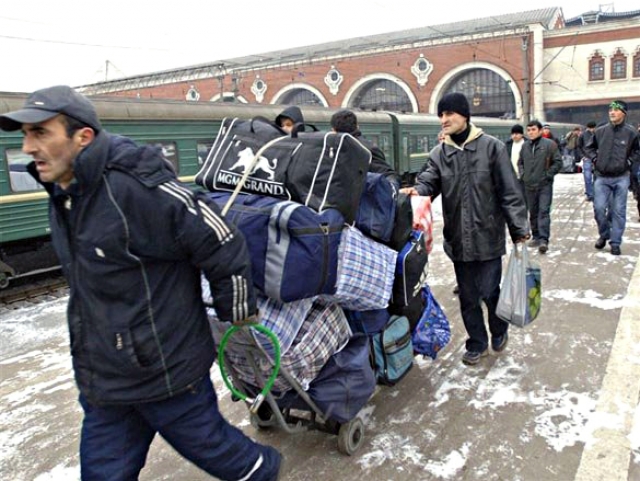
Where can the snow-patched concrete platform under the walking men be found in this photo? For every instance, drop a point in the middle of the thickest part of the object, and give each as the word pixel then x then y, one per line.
pixel 559 404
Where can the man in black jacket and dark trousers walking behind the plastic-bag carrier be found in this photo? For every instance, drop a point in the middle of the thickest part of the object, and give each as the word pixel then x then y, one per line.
pixel 539 162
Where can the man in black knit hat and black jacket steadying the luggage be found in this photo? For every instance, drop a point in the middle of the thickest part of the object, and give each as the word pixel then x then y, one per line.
pixel 480 194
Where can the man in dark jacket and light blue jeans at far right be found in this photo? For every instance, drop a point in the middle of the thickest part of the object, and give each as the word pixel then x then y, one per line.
pixel 613 149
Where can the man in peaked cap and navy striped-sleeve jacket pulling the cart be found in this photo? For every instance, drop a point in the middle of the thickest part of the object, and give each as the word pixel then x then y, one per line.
pixel 132 242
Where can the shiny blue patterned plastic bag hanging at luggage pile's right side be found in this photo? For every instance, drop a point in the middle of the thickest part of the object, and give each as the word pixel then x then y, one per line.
pixel 432 332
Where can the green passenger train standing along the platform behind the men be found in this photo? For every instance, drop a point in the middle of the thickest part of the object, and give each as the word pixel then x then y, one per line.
pixel 185 131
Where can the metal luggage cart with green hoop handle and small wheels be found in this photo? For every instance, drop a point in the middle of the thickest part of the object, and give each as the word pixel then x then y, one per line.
pixel 280 412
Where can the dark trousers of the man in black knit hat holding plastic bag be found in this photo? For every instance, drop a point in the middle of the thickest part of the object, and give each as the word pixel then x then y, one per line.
pixel 480 281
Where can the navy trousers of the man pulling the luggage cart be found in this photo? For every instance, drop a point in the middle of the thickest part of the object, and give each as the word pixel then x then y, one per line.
pixel 115 439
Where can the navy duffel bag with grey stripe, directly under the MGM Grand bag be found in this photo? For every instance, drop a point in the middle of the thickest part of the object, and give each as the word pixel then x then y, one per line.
pixel 293 249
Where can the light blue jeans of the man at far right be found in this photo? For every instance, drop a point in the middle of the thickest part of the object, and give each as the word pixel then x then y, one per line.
pixel 610 207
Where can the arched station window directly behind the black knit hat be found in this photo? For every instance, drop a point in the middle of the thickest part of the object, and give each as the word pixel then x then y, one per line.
pixel 489 95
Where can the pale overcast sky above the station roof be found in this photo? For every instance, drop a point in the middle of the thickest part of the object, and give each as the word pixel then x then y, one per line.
pixel 77 42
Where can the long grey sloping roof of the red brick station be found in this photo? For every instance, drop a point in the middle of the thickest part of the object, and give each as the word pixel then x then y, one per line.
pixel 547 17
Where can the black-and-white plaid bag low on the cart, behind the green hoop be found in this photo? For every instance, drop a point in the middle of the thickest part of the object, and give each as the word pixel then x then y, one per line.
pixel 324 332
